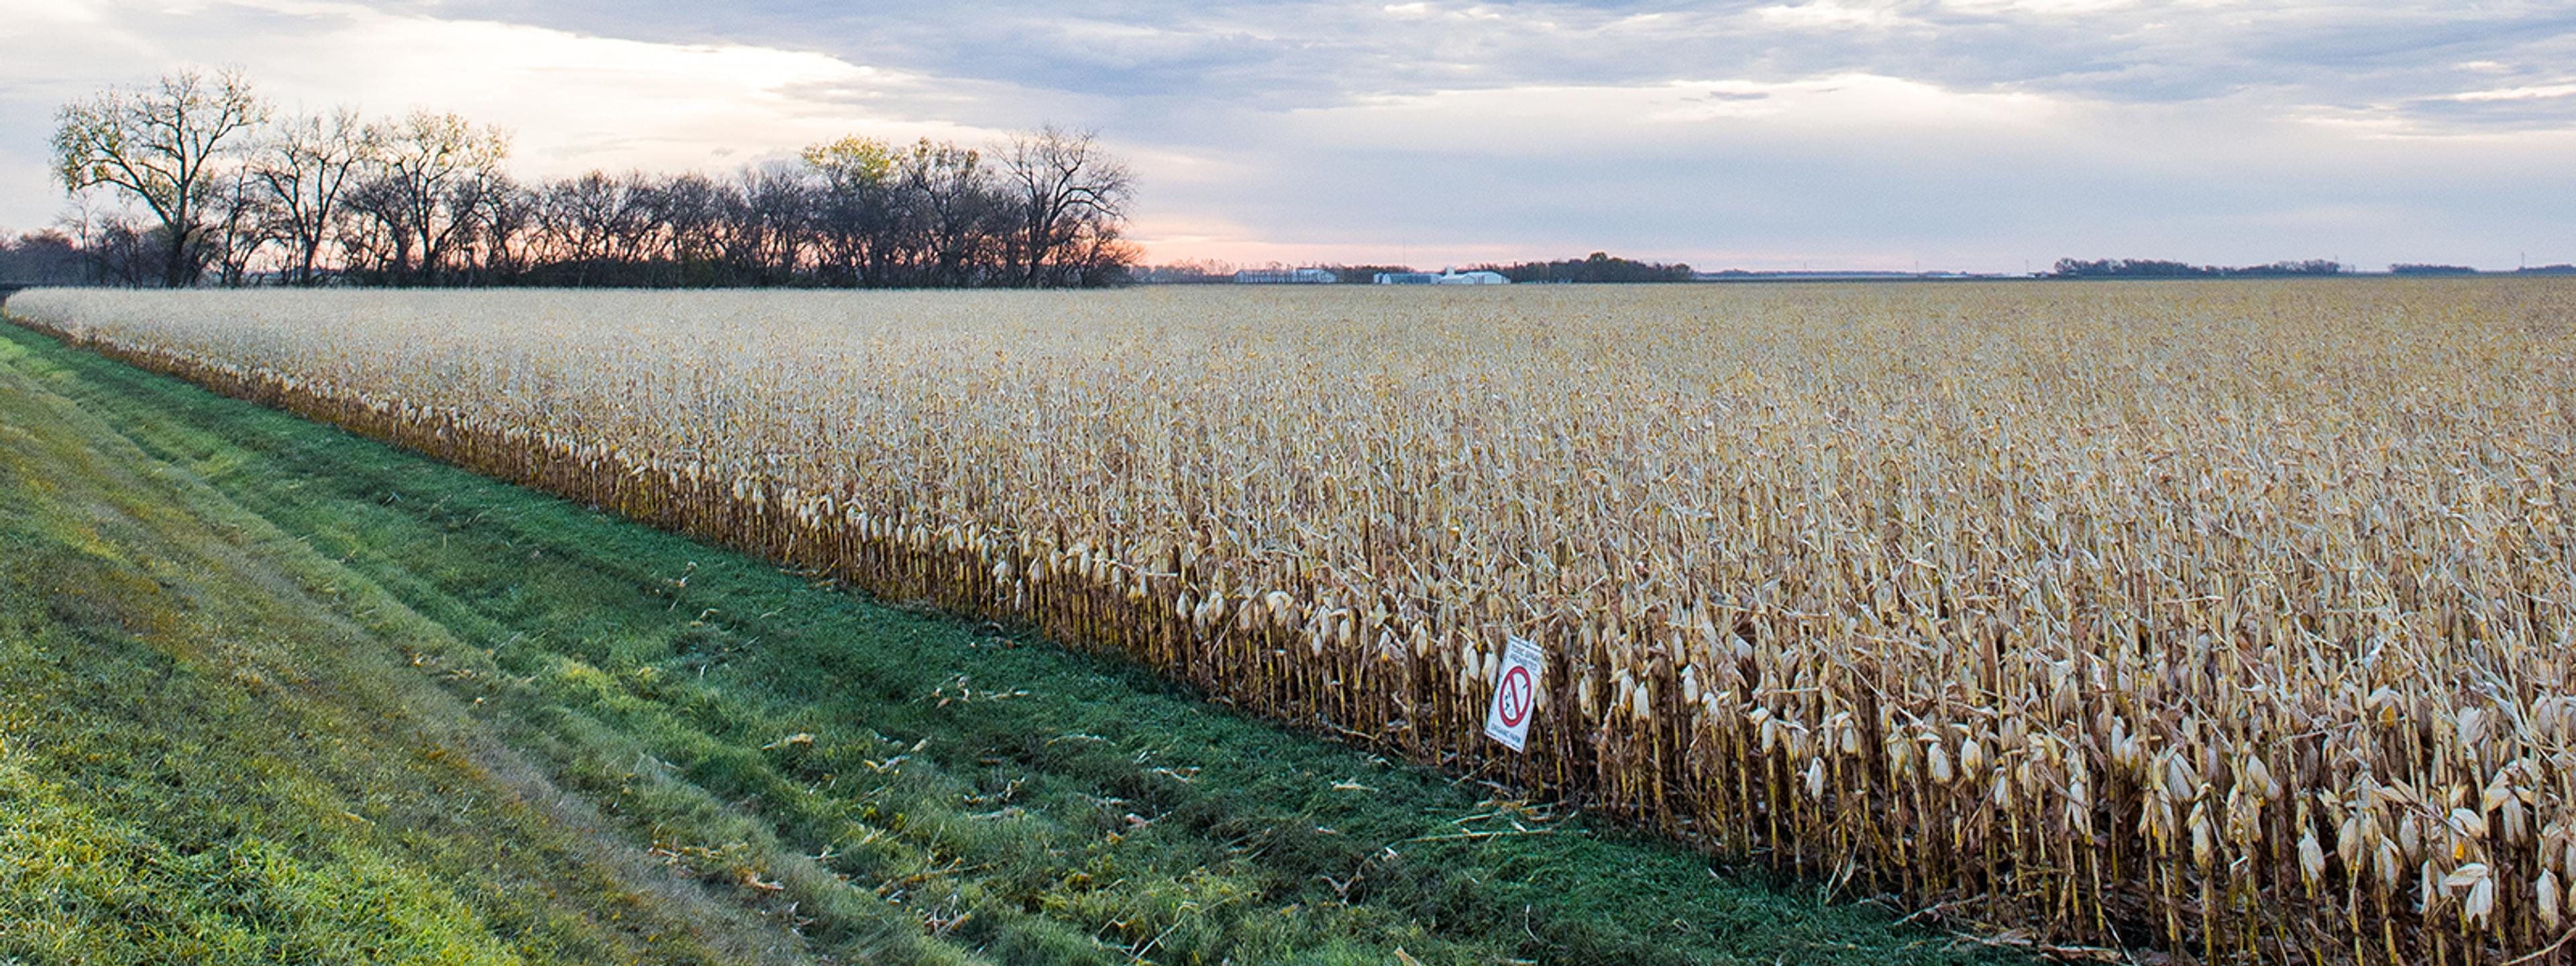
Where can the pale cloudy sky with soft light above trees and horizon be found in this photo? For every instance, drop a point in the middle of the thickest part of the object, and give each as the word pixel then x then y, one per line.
pixel 1975 135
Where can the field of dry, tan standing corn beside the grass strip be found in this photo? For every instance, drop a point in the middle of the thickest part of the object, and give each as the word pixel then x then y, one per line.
pixel 2230 620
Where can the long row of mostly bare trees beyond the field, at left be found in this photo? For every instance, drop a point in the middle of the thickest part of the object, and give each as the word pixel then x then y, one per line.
pixel 215 187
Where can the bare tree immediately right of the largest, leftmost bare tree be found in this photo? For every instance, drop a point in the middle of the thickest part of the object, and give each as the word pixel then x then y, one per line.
pixel 308 166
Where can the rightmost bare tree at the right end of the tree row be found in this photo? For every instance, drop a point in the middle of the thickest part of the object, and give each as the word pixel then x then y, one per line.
pixel 1070 194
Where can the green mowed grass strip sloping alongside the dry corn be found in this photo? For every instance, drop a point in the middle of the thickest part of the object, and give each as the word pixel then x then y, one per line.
pixel 279 694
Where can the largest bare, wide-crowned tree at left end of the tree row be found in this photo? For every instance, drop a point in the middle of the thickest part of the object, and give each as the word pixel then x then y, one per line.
pixel 161 148
